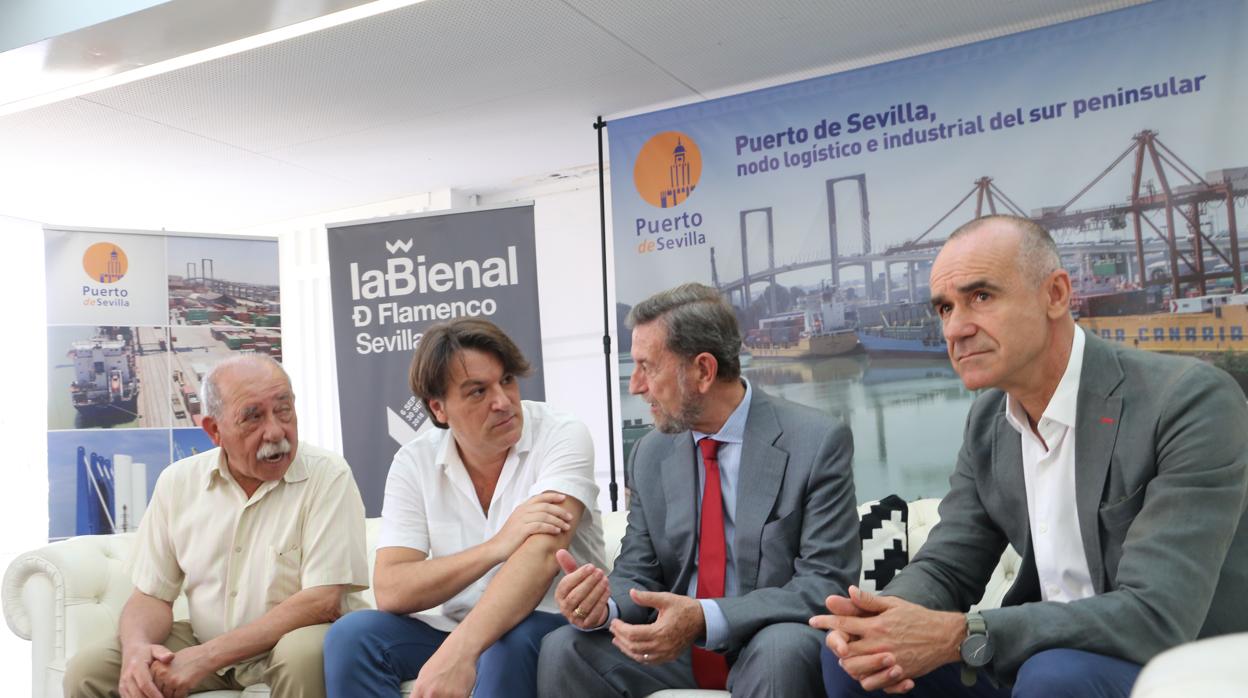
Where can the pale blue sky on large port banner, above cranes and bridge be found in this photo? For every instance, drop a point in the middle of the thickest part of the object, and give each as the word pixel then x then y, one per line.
pixel 912 187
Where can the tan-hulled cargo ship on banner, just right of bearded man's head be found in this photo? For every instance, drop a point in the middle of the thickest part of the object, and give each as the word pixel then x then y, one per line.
pixel 818 330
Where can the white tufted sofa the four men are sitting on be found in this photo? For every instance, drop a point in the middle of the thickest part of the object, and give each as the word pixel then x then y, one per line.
pixel 69 595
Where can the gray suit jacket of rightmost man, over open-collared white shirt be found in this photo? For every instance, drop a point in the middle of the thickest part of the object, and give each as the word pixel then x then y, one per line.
pixel 1161 485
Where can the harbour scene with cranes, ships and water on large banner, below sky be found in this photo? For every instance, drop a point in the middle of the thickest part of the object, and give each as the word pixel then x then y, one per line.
pixel 1153 245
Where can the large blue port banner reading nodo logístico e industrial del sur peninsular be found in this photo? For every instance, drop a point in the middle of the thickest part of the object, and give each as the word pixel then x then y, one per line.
pixel 818 208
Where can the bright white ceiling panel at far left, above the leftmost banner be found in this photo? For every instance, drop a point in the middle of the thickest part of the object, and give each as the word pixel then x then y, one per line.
pixel 79 163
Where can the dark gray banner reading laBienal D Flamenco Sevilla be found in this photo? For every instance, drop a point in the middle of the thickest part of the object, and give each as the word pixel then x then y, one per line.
pixel 392 279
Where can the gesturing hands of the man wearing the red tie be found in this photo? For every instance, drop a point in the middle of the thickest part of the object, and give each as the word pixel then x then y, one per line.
pixel 582 597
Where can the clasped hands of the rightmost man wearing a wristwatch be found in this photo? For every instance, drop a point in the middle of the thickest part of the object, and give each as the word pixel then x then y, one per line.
pixel 887 642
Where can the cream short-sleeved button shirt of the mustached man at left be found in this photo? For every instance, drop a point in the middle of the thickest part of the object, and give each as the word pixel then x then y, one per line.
pixel 239 558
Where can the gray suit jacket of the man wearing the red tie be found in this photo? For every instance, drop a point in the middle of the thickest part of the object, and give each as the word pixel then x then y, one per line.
pixel 797 523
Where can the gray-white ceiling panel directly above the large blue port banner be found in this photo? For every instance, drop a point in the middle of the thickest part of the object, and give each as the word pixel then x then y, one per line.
pixel 719 47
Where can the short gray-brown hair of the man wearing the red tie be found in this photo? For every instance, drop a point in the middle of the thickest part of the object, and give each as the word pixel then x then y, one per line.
pixel 698 320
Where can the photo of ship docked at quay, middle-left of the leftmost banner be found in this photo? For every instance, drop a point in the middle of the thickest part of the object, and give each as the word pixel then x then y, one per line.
pixel 108 378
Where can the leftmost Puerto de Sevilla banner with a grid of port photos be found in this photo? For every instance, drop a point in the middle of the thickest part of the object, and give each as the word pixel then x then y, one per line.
pixel 135 320
